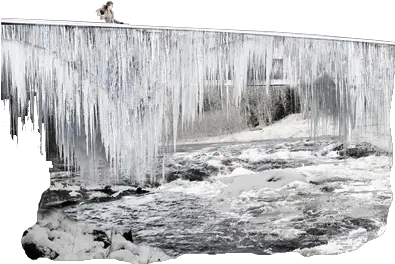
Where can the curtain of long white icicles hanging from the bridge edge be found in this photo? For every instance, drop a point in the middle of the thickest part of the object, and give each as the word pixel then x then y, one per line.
pixel 117 95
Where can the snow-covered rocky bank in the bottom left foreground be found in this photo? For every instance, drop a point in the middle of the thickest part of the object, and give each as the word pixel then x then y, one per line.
pixel 58 237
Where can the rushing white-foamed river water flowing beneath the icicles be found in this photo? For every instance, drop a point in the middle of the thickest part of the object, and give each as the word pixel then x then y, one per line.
pixel 265 197
